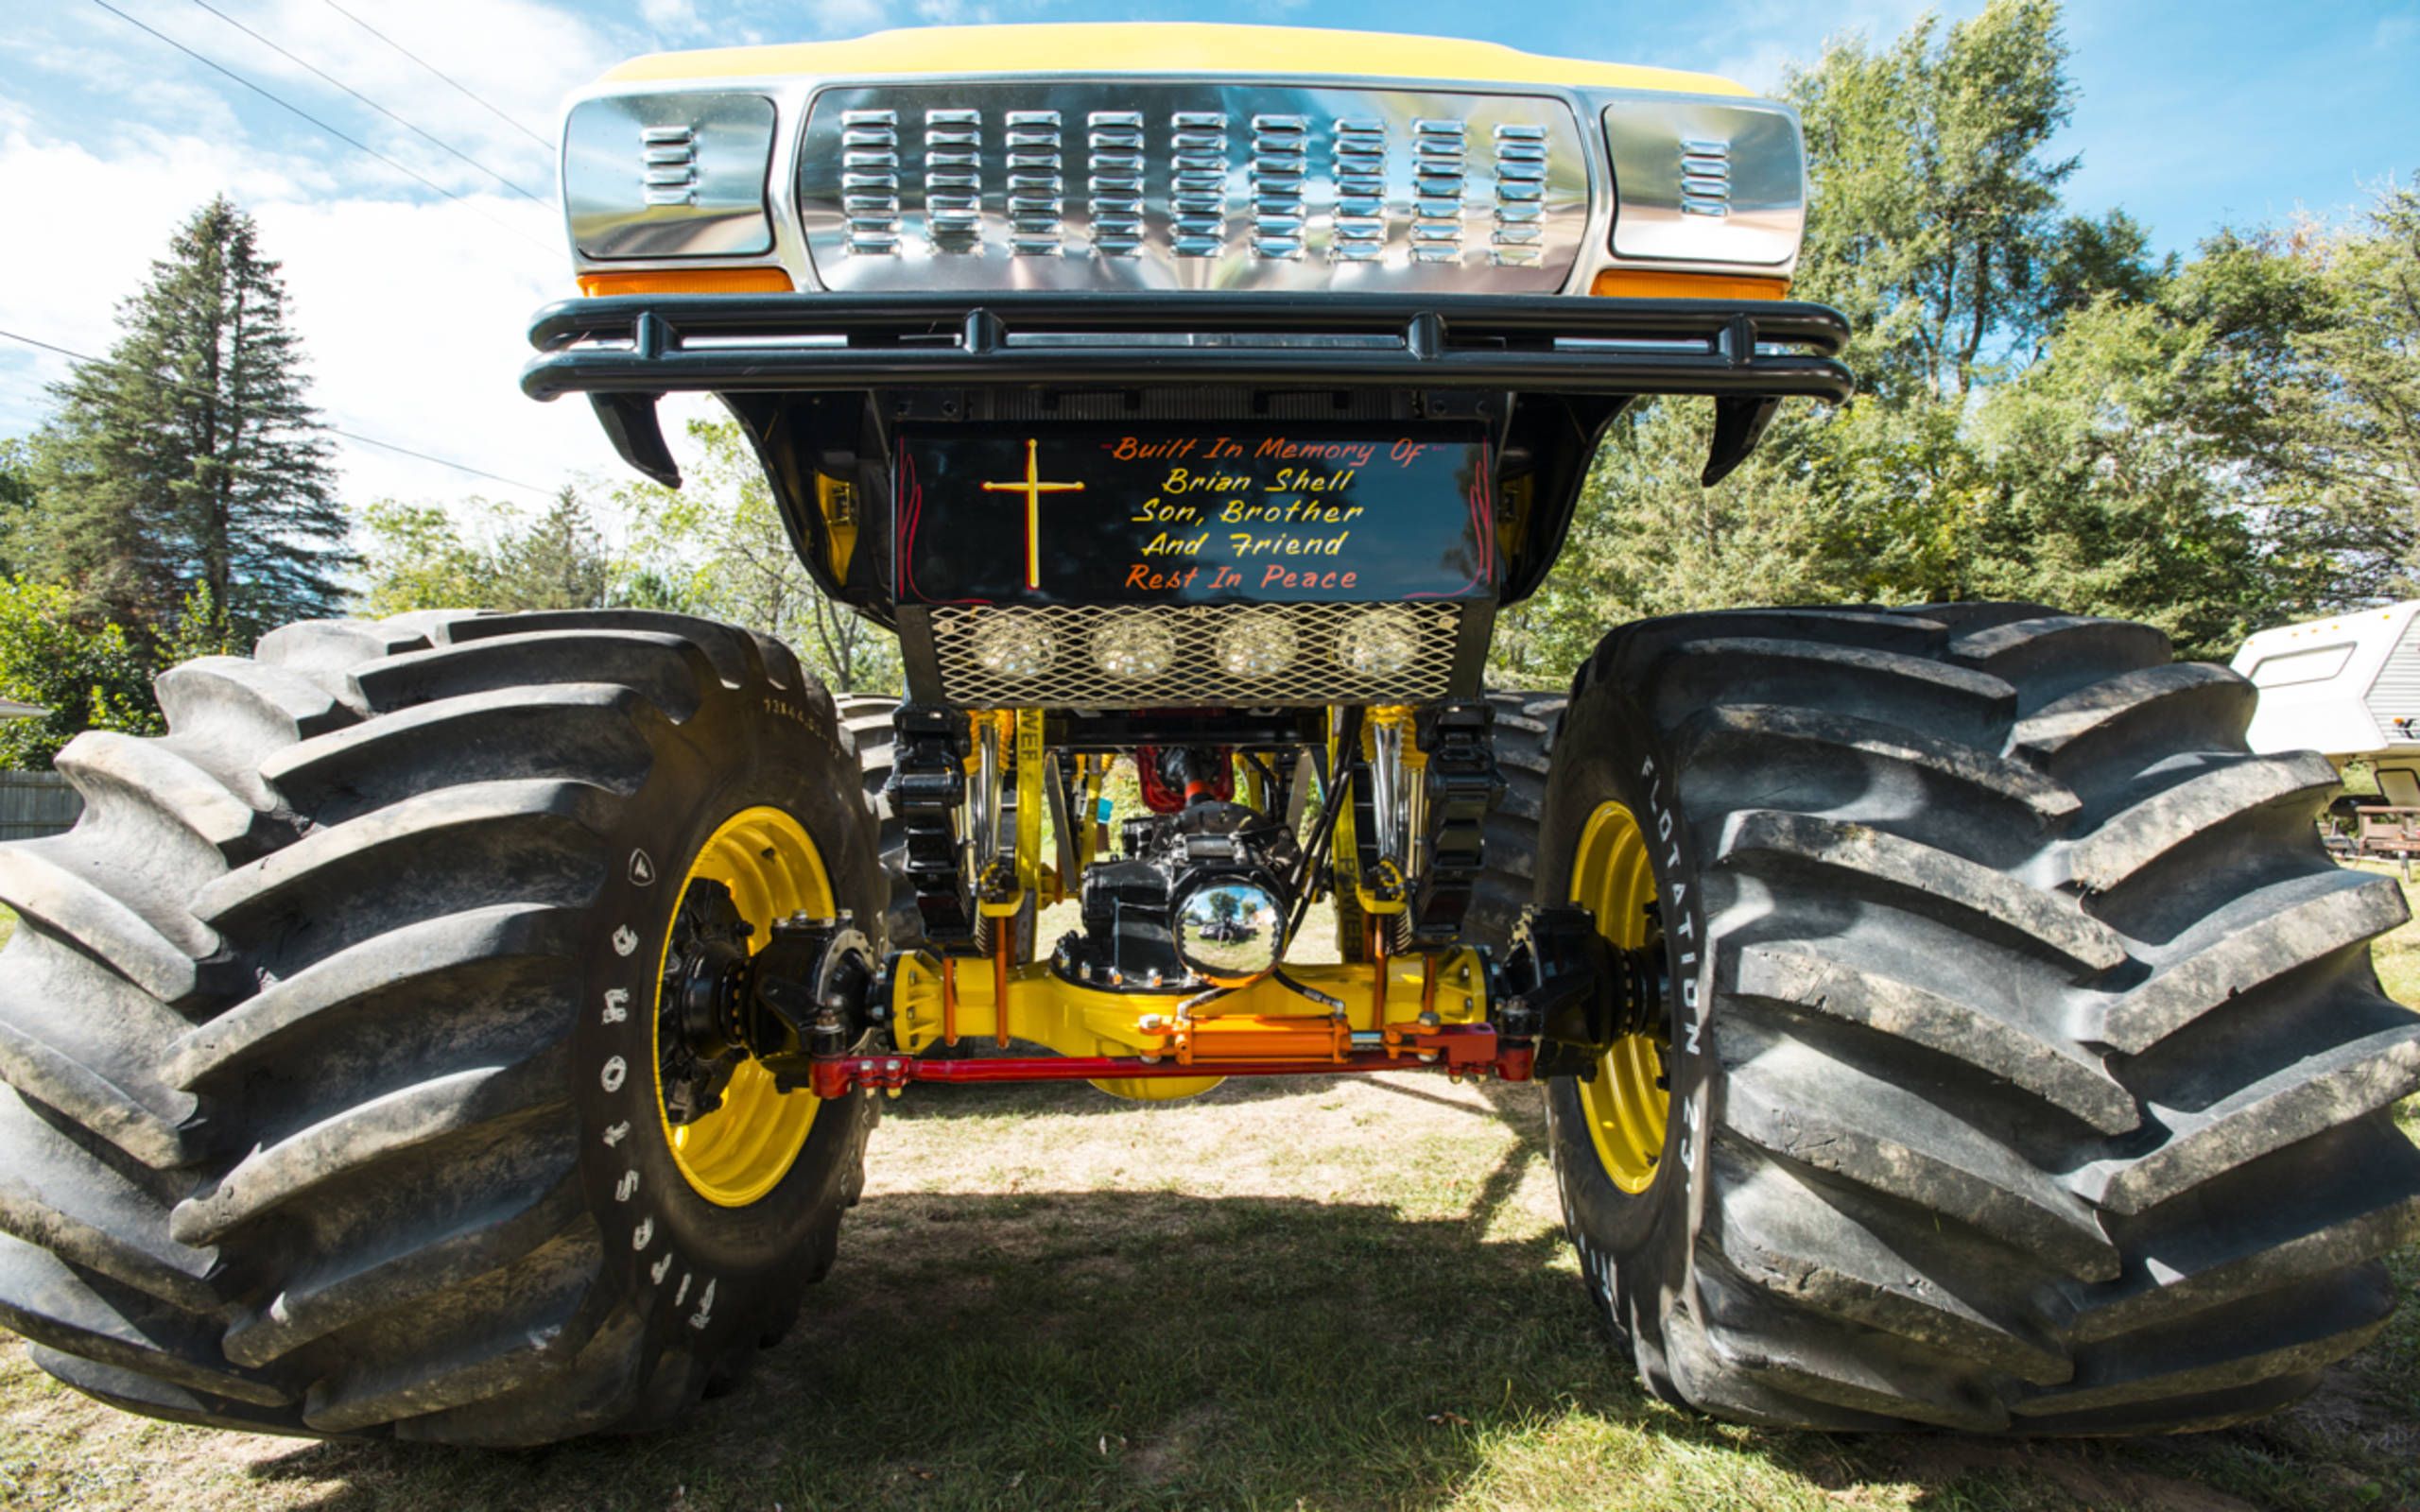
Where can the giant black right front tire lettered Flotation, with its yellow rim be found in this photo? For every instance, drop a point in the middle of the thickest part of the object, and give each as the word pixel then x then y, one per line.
pixel 2022 1061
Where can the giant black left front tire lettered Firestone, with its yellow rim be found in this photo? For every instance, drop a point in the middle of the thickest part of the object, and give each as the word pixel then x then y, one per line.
pixel 335 1097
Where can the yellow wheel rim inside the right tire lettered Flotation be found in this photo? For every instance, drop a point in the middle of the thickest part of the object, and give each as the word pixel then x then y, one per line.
pixel 1627 1104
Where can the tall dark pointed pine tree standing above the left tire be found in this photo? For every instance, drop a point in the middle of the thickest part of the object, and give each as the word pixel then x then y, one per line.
pixel 192 456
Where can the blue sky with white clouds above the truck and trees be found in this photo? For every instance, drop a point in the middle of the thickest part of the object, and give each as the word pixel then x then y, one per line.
pixel 413 304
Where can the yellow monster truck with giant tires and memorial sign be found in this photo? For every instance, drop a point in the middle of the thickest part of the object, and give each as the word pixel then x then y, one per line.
pixel 466 1027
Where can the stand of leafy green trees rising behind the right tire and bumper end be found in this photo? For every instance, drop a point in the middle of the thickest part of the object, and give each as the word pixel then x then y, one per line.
pixel 2049 410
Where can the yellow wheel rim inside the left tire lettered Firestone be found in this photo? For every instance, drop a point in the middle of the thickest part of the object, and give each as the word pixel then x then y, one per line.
pixel 744 1148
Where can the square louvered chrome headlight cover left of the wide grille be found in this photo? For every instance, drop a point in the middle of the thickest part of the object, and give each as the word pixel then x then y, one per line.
pixel 669 175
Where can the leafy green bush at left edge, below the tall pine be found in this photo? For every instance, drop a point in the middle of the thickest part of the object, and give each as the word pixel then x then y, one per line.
pixel 86 679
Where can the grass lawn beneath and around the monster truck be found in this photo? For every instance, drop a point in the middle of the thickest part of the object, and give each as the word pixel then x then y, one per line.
pixel 1344 1295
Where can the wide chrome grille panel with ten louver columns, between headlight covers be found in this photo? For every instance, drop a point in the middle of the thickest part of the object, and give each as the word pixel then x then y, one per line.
pixel 1189 185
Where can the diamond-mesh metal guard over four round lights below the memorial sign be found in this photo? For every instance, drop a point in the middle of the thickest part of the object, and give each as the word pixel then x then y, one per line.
pixel 1194 671
